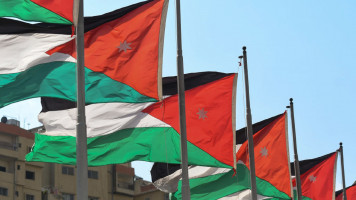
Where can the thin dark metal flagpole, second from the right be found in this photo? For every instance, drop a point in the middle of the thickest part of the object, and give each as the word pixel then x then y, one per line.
pixel 296 160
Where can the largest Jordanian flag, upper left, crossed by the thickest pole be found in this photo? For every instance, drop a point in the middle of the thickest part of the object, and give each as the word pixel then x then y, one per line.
pixel 123 54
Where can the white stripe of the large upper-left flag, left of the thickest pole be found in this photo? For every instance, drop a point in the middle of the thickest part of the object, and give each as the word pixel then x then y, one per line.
pixel 21 52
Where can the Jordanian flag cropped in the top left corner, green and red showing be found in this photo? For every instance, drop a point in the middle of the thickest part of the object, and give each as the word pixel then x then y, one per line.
pixel 50 11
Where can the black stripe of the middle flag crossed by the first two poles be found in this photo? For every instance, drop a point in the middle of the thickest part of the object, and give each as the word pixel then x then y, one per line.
pixel 169 88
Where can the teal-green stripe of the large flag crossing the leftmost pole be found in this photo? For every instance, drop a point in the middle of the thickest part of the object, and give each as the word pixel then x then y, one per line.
pixel 57 79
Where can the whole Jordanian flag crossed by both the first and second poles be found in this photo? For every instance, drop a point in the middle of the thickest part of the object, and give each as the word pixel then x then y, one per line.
pixel 124 132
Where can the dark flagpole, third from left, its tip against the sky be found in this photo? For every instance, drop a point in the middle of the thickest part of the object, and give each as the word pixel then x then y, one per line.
pixel 251 151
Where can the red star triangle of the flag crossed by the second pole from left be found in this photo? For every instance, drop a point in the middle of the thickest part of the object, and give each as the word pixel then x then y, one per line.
pixel 213 131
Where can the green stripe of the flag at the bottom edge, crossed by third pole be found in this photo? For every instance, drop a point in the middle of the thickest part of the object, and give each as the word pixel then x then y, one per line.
pixel 221 185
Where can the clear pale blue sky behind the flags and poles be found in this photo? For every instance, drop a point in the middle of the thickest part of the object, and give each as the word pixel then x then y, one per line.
pixel 302 49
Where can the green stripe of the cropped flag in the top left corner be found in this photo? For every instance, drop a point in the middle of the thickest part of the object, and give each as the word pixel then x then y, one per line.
pixel 29 11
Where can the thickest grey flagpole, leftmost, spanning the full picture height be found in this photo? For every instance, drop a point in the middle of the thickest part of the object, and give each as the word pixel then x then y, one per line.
pixel 82 157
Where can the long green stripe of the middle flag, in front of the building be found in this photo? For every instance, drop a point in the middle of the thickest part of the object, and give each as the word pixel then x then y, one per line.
pixel 146 144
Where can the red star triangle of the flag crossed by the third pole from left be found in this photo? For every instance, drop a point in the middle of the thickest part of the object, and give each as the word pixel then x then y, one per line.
pixel 271 155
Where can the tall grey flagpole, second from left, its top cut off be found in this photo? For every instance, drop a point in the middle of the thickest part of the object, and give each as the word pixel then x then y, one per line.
pixel 181 99
